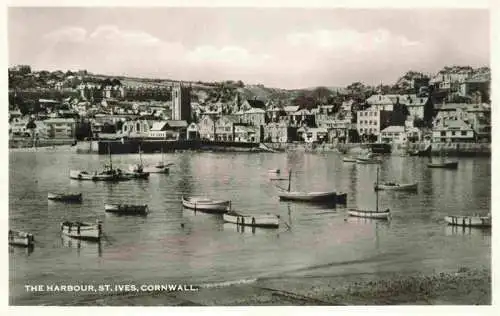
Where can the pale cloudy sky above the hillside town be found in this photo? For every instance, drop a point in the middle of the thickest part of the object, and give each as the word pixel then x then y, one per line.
pixel 278 47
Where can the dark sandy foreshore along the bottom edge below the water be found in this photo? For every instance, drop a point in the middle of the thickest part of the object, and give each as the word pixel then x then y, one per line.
pixel 464 287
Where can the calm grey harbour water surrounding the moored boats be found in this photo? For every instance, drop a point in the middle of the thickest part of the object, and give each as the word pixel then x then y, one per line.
pixel 156 249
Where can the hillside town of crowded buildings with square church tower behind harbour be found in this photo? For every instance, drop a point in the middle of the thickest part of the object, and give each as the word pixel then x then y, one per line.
pixel 451 106
